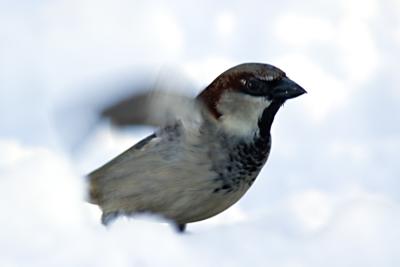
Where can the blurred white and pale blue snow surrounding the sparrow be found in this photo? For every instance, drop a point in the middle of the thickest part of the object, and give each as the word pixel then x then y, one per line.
pixel 330 193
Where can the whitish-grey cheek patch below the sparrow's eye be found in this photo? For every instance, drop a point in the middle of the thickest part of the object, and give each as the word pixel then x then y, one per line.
pixel 241 113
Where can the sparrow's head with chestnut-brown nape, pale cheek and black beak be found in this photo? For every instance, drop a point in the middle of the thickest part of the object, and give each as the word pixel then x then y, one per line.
pixel 245 98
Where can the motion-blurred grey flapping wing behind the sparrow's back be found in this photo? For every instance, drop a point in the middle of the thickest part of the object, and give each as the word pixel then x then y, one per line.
pixel 125 100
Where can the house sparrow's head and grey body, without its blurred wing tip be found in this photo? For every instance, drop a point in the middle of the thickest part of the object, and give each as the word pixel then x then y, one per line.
pixel 206 154
